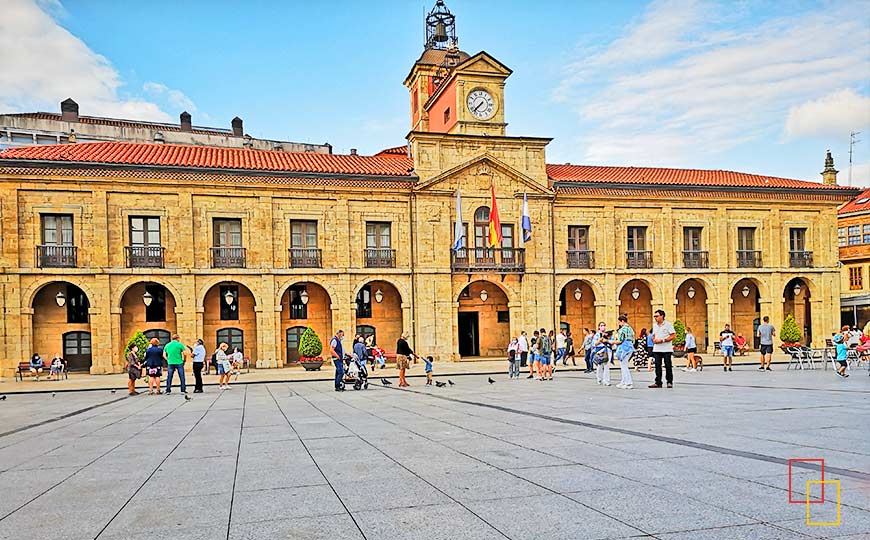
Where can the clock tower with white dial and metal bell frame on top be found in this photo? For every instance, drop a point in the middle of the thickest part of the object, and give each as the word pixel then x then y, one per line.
pixel 452 91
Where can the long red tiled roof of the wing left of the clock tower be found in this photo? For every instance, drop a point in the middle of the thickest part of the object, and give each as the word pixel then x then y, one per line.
pixel 212 157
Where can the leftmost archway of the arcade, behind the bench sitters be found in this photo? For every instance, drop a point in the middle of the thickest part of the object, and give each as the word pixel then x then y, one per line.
pixel 61 325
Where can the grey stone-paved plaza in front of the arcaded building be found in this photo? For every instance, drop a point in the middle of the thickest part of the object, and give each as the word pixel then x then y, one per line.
pixel 517 459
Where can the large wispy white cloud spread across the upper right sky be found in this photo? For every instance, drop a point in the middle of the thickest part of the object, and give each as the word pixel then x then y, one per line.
pixel 698 79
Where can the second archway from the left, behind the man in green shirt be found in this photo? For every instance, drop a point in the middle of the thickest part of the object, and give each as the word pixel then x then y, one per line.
pixel 148 307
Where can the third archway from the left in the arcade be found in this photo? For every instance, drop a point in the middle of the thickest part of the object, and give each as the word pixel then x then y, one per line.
pixel 229 317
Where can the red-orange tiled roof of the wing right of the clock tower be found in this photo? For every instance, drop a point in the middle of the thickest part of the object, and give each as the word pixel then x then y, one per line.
pixel 660 177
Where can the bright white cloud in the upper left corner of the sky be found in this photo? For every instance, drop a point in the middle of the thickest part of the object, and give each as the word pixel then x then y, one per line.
pixel 42 64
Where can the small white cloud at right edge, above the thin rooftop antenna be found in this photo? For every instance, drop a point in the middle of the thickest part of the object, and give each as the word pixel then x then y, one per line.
pixel 835 114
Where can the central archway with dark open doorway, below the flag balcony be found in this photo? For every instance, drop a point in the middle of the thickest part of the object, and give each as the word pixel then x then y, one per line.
pixel 484 320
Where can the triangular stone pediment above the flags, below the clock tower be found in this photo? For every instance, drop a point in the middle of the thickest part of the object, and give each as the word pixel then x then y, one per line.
pixel 477 173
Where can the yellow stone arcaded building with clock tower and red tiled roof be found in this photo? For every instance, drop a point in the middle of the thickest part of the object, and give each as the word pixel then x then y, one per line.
pixel 251 246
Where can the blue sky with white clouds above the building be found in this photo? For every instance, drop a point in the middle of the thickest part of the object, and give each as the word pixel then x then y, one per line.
pixel 760 87
